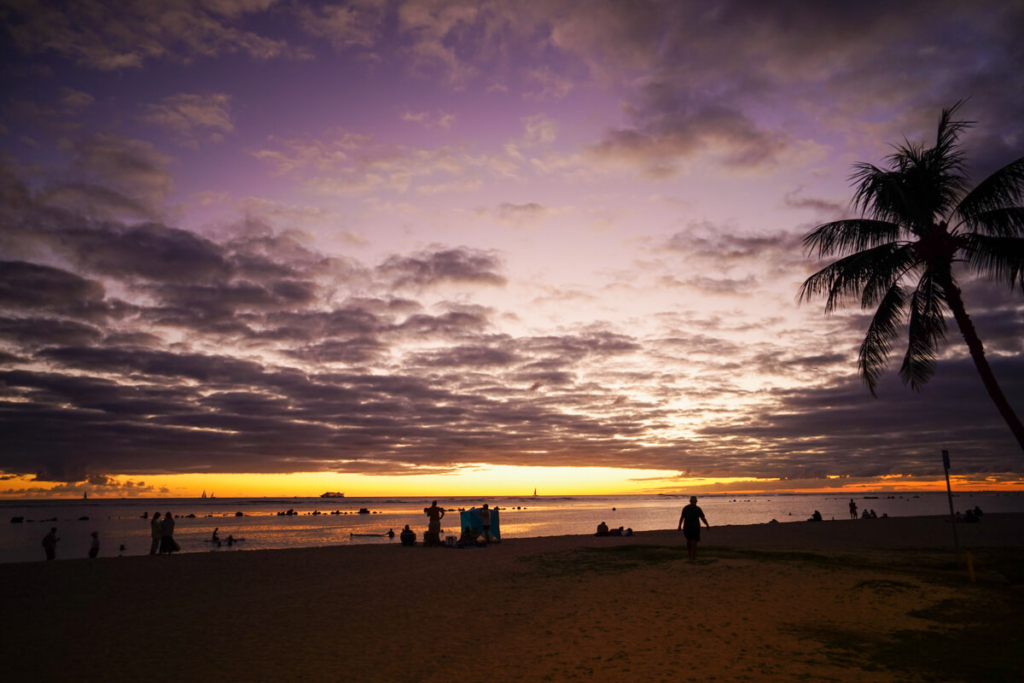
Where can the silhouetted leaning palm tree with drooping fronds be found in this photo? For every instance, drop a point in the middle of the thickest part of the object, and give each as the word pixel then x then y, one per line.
pixel 918 219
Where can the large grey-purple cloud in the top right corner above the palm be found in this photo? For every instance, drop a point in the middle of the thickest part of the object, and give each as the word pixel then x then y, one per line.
pixel 839 61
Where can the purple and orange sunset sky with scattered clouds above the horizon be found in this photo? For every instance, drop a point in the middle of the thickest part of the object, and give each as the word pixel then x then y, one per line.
pixel 417 247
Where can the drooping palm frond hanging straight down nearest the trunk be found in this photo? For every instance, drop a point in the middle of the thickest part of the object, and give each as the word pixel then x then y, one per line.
pixel 927 332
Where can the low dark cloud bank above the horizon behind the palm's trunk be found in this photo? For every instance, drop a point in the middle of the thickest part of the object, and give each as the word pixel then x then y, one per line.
pixel 840 430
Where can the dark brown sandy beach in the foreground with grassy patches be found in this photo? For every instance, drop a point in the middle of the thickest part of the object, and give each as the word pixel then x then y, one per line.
pixel 859 601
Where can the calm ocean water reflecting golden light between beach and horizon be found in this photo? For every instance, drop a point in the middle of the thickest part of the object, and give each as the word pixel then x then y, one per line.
pixel 120 522
